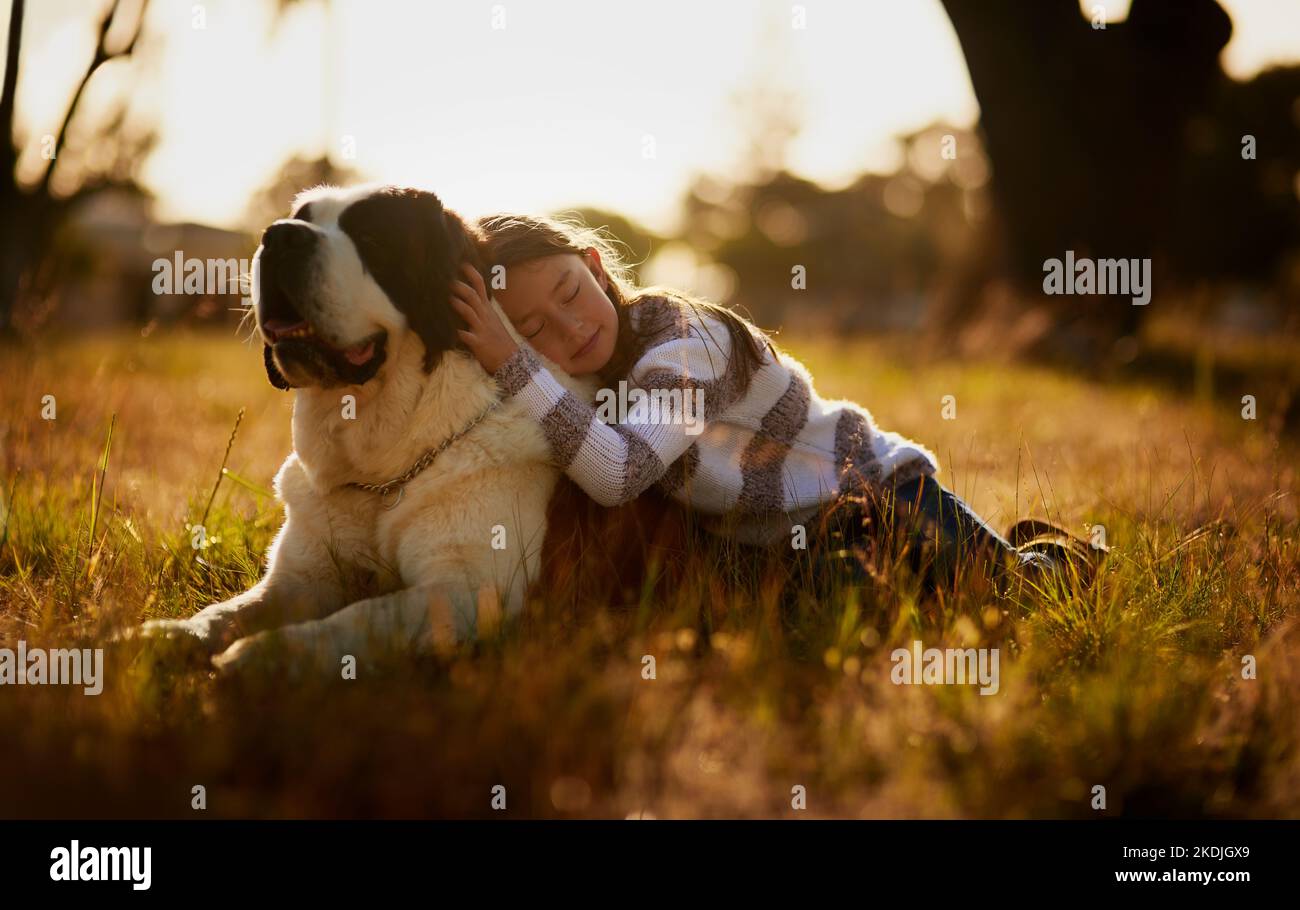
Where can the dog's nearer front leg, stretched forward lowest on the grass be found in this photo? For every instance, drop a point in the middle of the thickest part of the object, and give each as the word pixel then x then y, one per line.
pixel 426 619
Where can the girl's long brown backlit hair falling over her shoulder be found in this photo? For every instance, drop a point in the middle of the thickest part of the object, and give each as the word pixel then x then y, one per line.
pixel 521 239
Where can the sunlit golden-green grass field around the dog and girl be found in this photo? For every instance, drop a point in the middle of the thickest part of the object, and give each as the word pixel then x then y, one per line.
pixel 1136 686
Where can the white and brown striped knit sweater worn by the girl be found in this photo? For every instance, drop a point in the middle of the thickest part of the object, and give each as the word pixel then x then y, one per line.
pixel 762 457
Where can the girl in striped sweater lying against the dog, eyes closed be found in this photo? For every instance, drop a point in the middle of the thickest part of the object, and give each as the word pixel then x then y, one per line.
pixel 766 454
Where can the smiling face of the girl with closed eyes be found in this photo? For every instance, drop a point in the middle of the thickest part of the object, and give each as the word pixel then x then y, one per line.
pixel 560 306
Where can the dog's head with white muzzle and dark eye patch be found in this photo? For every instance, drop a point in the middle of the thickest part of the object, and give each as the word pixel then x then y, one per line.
pixel 350 276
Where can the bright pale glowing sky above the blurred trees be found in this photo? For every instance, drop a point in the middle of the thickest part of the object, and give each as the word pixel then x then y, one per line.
pixel 547 109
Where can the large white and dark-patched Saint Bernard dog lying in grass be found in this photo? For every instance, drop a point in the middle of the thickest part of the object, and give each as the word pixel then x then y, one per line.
pixel 415 499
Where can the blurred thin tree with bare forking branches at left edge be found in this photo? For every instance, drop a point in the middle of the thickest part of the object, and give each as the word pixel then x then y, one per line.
pixel 34 213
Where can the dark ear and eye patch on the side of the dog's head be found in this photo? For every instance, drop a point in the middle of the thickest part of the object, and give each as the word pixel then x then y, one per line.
pixel 413 248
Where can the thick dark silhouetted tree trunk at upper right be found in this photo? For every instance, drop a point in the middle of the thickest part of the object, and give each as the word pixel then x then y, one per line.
pixel 1086 131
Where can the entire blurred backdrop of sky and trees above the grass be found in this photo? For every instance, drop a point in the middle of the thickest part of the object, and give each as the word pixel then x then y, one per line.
pixel 721 142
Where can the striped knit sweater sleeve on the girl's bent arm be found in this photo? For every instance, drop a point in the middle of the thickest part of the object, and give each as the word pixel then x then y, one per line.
pixel 684 383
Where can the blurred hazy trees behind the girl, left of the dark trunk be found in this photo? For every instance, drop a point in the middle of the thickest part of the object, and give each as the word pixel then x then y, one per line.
pixel 870 254
